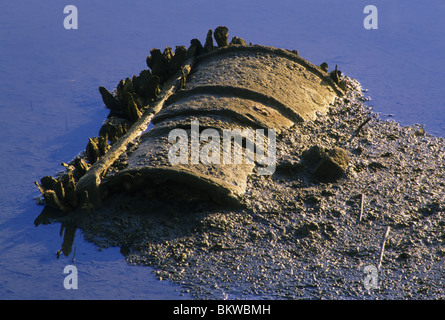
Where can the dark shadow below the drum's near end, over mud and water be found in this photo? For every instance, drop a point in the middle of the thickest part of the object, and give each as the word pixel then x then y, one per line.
pixel 126 220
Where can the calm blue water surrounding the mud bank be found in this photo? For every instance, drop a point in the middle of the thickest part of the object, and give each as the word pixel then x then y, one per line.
pixel 50 105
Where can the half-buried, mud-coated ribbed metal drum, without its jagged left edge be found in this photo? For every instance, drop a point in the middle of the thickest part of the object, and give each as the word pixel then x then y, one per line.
pixel 245 88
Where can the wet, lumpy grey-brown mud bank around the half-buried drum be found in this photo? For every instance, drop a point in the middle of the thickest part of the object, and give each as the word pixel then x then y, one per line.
pixel 299 237
